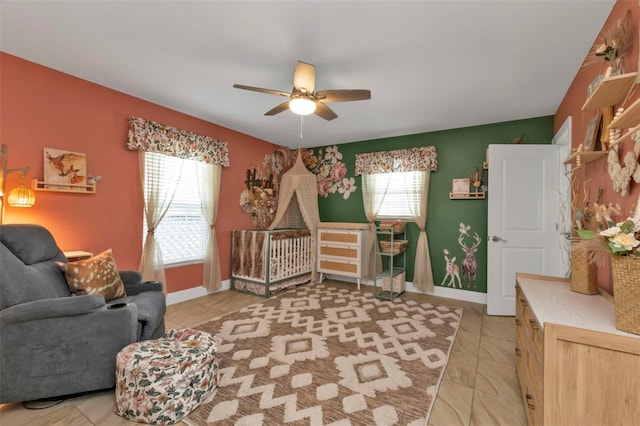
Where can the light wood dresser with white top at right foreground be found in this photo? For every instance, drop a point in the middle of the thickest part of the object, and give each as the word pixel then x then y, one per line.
pixel 574 367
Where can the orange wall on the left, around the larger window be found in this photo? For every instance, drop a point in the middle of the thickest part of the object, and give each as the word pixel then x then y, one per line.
pixel 41 107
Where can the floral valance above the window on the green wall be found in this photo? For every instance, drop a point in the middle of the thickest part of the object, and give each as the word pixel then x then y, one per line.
pixel 400 160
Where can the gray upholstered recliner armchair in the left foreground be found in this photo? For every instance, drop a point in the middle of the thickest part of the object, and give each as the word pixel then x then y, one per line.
pixel 53 343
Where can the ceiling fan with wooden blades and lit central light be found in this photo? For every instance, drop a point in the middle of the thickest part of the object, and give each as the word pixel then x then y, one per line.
pixel 303 100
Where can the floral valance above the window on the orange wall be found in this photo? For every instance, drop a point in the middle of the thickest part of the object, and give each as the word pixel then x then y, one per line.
pixel 147 135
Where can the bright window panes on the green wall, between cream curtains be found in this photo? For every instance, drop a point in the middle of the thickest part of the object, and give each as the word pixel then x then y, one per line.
pixel 398 194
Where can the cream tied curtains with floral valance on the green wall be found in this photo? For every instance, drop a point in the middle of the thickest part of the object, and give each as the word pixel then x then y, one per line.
pixel 421 159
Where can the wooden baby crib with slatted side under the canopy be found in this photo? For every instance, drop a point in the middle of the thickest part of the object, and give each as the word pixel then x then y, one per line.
pixel 267 261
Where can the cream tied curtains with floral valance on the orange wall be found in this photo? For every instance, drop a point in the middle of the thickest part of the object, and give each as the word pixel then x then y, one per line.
pixel 149 136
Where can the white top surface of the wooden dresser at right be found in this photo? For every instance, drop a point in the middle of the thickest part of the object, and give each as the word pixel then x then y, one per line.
pixel 553 301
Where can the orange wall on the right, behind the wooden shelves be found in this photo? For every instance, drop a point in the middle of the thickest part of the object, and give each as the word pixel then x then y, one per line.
pixel 572 106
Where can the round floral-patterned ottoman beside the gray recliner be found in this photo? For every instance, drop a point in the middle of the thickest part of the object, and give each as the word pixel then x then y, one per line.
pixel 161 381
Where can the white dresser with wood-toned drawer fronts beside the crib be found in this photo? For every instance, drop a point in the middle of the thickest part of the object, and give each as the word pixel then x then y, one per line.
pixel 341 249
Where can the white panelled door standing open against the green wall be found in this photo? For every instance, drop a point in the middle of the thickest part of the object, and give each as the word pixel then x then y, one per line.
pixel 522 219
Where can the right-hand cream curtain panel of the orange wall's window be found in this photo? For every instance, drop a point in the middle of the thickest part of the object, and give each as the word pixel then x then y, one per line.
pixel 209 188
